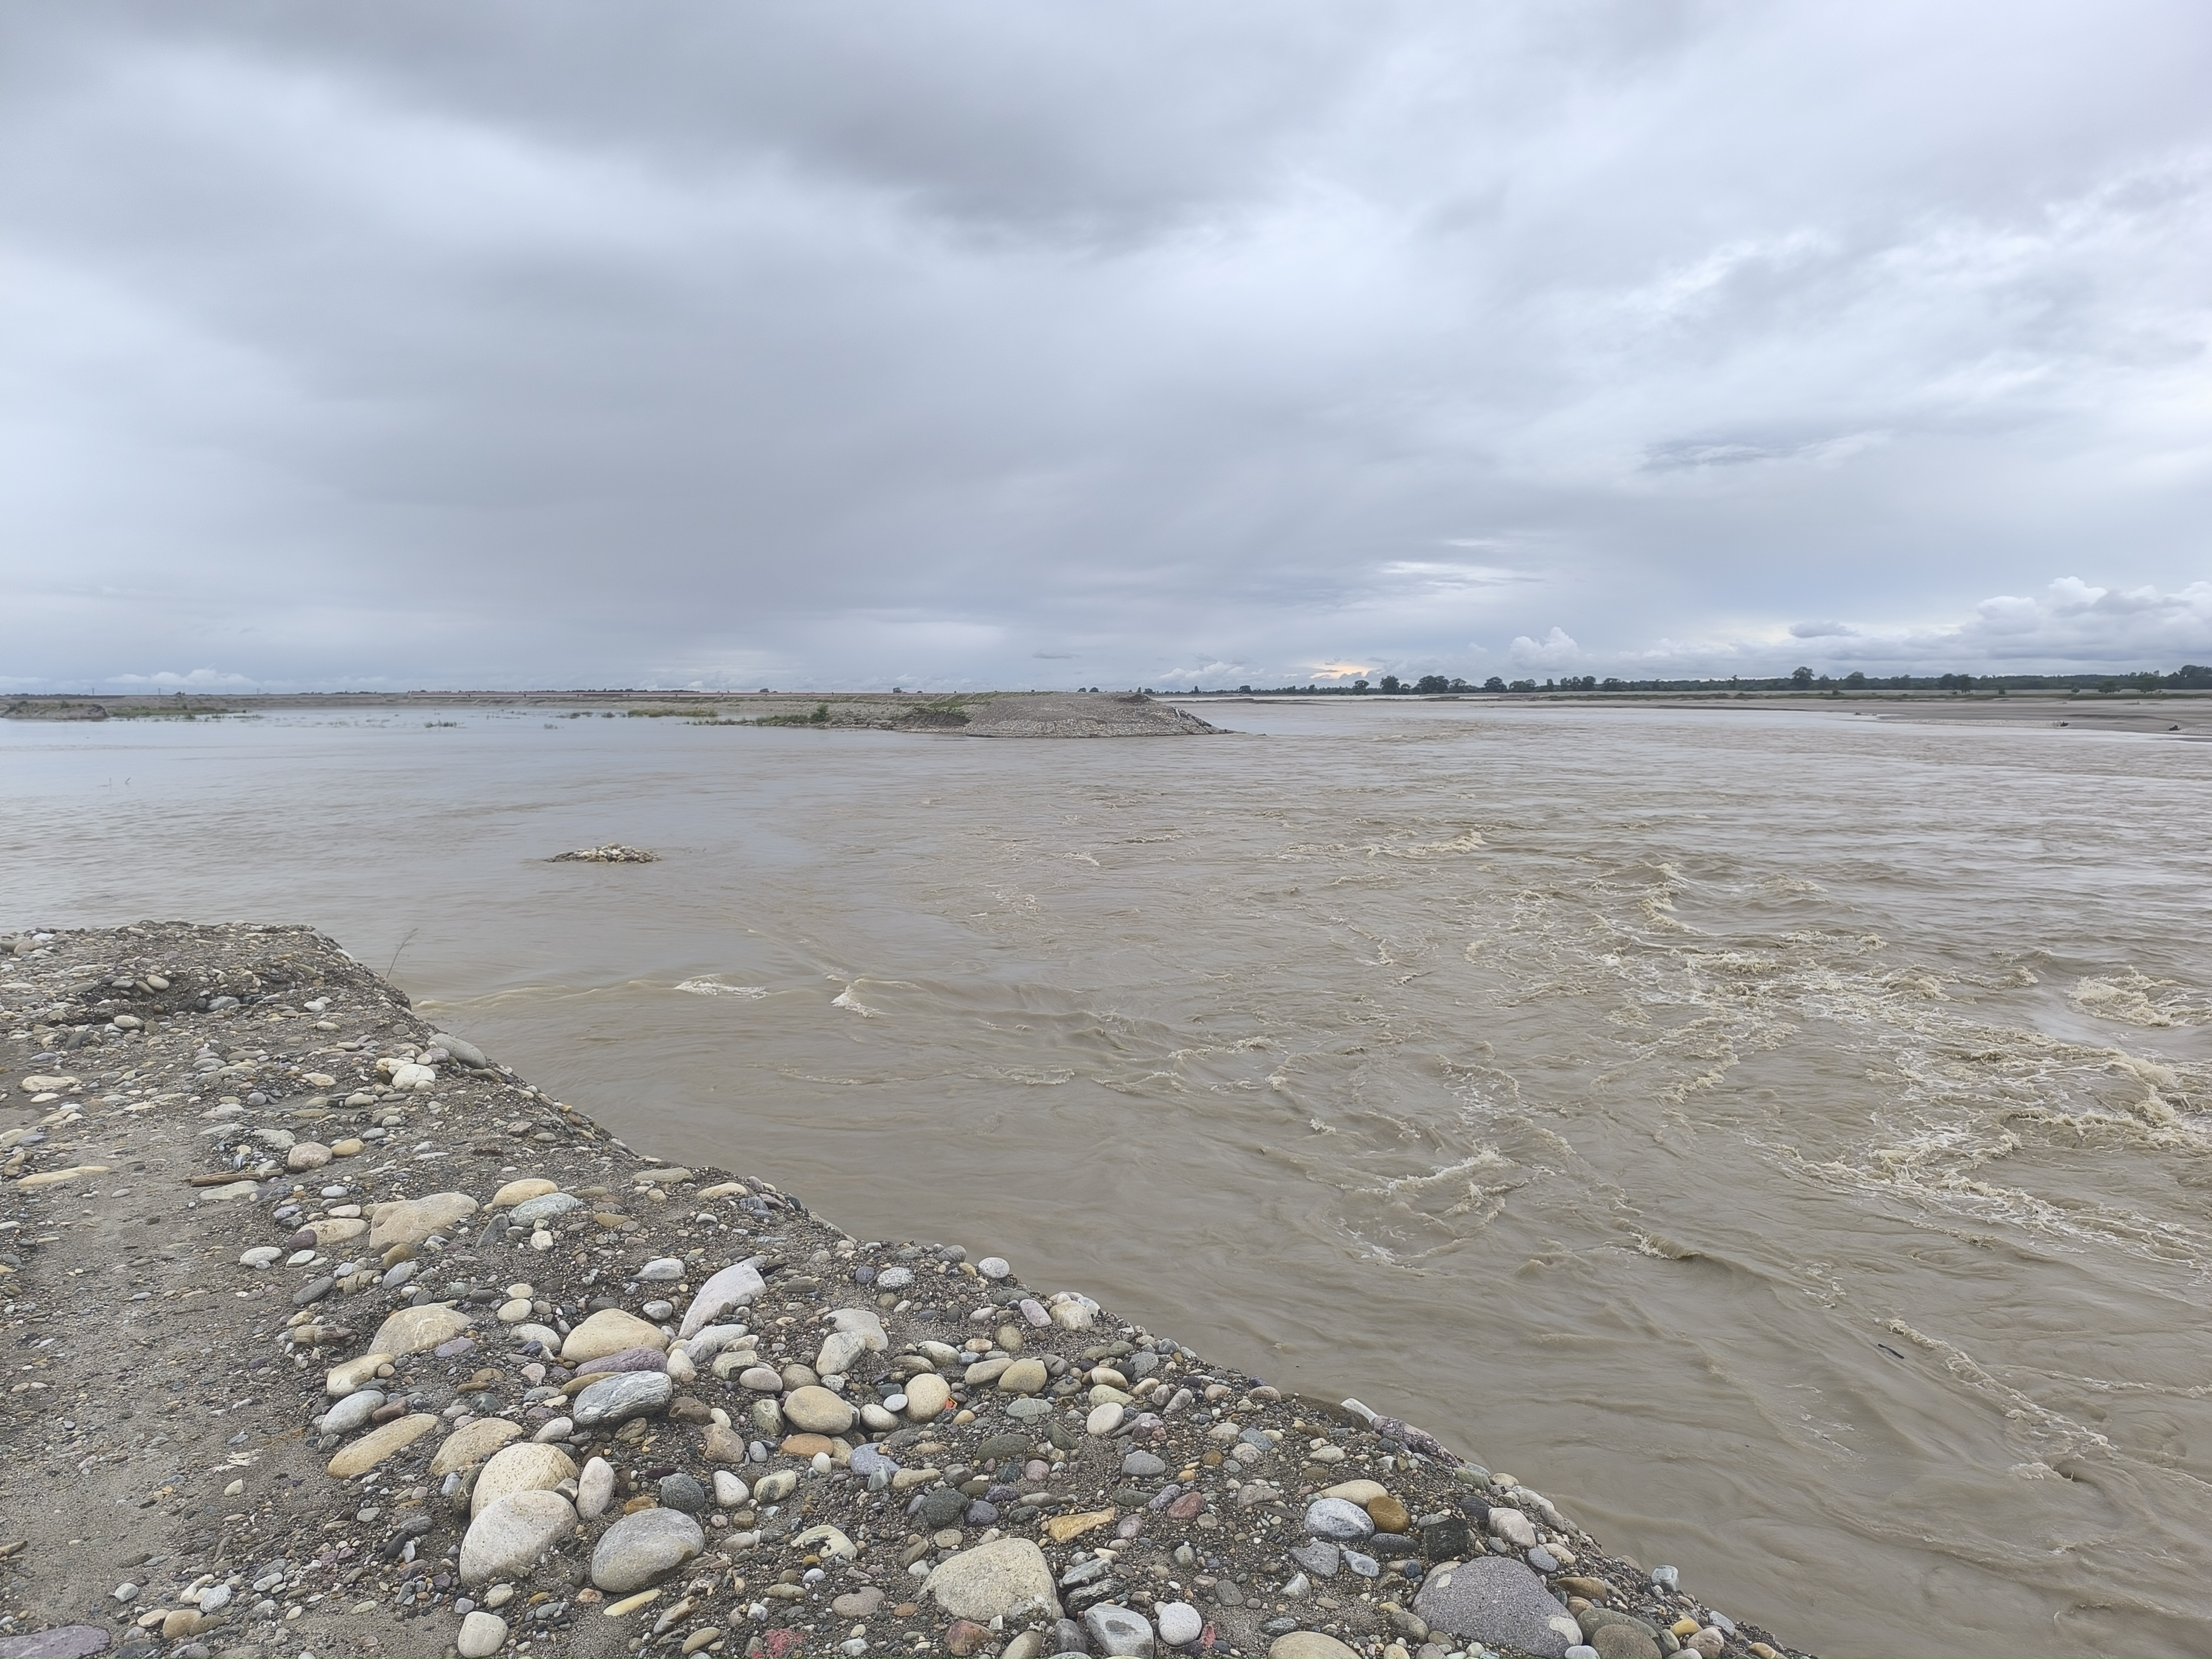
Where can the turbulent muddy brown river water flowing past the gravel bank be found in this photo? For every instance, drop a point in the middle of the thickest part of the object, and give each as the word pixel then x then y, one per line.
pixel 1784 1140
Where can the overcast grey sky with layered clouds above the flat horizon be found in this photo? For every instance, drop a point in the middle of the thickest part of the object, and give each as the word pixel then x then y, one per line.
pixel 658 344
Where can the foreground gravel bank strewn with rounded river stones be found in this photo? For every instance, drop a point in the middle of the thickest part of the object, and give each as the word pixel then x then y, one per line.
pixel 331 1337
